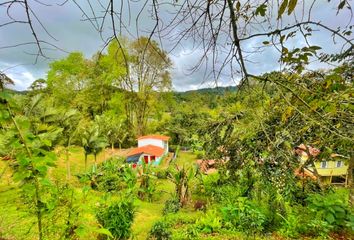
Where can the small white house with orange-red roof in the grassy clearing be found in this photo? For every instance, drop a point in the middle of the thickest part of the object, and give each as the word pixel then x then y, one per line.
pixel 151 149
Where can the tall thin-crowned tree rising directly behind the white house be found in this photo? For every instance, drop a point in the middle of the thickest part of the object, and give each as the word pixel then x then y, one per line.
pixel 148 75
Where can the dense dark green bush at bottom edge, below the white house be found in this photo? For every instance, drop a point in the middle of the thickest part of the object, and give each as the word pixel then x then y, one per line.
pixel 117 218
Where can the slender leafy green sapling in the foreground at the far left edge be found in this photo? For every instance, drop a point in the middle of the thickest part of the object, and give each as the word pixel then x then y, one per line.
pixel 32 158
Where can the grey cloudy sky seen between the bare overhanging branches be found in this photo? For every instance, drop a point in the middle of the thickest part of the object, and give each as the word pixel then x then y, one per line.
pixel 70 32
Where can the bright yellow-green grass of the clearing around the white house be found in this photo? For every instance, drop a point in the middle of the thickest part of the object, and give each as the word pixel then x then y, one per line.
pixel 17 223
